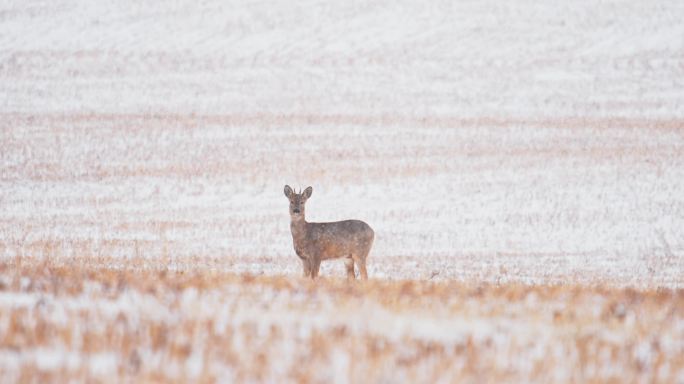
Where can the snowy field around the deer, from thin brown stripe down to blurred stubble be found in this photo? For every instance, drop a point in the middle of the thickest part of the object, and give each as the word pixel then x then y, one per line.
pixel 590 201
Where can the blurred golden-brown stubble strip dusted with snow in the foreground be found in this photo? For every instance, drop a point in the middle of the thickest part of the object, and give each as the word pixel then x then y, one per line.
pixel 79 320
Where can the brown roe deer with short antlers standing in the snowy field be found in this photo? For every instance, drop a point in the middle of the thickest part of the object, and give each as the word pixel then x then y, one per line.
pixel 313 242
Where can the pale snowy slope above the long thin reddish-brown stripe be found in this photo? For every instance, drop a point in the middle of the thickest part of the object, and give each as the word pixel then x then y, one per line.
pixel 489 58
